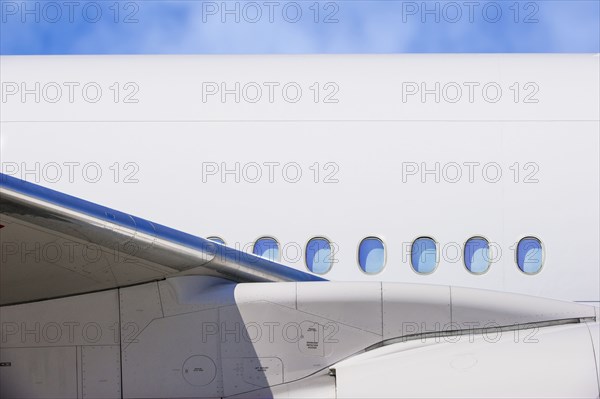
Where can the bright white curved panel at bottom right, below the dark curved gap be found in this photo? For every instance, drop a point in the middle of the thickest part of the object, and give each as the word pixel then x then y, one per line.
pixel 556 363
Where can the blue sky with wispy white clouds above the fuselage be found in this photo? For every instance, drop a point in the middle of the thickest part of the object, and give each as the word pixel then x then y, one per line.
pixel 301 26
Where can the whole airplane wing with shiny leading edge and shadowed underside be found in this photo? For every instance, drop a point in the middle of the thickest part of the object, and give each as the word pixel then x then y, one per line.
pixel 54 245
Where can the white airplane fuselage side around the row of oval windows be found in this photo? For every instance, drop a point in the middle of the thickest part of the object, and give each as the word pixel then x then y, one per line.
pixel 340 147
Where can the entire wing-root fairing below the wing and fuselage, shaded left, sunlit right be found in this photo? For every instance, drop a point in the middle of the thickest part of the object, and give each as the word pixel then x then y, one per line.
pixel 271 340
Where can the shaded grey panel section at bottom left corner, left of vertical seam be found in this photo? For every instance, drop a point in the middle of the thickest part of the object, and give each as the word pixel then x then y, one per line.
pixel 63 348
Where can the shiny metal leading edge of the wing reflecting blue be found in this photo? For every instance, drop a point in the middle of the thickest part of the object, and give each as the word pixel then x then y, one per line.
pixel 163 245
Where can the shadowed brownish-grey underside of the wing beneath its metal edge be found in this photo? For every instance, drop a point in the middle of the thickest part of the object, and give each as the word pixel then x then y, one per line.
pixel 38 263
